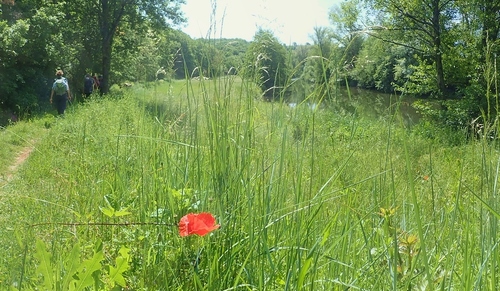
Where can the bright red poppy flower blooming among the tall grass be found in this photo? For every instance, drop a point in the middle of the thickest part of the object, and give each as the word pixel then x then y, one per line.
pixel 199 224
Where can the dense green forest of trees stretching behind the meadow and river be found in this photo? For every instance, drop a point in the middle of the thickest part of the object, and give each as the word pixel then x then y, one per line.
pixel 440 50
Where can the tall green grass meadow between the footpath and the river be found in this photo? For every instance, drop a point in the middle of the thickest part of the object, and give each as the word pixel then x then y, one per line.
pixel 306 198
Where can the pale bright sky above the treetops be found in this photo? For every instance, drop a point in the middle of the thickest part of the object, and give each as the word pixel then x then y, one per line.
pixel 291 21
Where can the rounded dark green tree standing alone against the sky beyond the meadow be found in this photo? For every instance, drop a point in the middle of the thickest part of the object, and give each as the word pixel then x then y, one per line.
pixel 266 62
